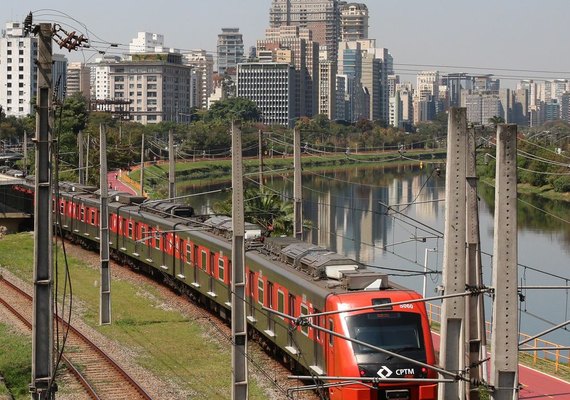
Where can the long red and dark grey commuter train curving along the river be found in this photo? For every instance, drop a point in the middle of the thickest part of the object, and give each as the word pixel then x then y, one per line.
pixel 294 278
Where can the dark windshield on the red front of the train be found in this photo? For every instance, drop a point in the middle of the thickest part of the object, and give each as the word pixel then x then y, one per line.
pixel 388 330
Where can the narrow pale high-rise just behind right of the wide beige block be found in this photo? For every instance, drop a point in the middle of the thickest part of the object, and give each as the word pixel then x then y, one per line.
pixel 203 66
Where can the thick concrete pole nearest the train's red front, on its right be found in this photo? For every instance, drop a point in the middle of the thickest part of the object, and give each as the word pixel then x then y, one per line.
pixel 452 355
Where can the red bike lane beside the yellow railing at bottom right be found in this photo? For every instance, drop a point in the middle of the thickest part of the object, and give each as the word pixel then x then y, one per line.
pixel 534 384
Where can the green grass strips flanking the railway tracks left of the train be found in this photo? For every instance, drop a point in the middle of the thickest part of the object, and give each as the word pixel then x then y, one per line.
pixel 167 343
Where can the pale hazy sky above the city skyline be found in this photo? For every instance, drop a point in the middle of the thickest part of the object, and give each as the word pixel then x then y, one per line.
pixel 514 39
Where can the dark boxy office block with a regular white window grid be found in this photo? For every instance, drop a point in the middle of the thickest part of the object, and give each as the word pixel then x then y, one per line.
pixel 271 86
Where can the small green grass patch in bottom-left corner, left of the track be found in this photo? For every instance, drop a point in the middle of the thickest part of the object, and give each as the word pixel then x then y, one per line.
pixel 15 363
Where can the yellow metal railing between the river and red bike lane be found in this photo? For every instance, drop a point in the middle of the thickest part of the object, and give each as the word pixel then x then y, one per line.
pixel 559 358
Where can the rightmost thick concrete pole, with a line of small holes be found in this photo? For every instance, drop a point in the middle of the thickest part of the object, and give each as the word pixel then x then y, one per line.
pixel 504 340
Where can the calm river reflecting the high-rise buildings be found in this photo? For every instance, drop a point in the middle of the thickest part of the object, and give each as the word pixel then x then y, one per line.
pixel 364 213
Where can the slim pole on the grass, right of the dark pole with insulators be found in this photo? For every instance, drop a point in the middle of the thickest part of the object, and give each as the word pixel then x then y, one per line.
pixel 105 298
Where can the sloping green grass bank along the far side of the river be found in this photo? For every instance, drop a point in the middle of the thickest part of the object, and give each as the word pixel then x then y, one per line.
pixel 202 172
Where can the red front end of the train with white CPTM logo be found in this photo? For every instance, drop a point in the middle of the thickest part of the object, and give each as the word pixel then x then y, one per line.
pixel 400 329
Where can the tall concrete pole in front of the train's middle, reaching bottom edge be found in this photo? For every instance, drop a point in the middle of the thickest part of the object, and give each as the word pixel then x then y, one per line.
pixel 239 324
